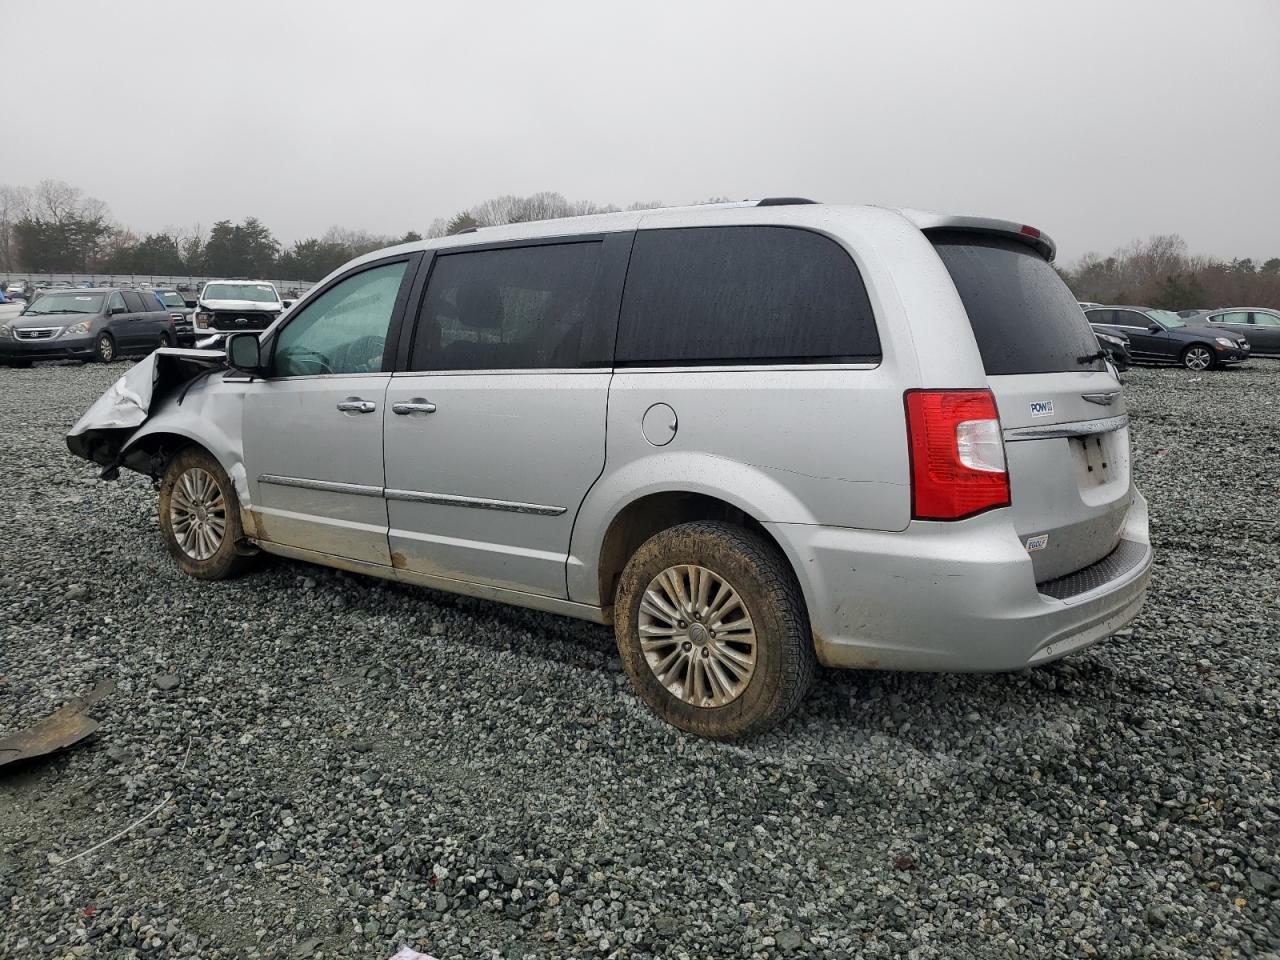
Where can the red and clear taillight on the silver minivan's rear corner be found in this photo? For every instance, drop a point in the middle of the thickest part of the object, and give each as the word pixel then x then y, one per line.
pixel 958 455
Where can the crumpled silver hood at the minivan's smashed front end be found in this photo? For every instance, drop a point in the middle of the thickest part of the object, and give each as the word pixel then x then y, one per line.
pixel 103 432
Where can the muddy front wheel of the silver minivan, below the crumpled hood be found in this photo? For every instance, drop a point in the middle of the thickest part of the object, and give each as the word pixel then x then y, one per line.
pixel 200 516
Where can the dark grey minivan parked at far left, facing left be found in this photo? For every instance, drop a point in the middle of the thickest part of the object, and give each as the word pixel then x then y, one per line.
pixel 86 324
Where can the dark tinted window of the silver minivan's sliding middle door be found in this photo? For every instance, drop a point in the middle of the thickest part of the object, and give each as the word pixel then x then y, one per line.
pixel 513 309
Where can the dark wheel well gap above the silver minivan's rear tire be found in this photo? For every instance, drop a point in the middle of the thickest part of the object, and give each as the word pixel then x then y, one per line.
pixel 653 514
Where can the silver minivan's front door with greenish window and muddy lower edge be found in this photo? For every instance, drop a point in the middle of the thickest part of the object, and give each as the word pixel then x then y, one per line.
pixel 313 431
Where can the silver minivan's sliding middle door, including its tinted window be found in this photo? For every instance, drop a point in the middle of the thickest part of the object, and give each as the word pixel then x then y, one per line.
pixel 497 431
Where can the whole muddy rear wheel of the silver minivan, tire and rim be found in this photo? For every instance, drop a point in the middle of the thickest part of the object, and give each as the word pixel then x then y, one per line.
pixel 714 632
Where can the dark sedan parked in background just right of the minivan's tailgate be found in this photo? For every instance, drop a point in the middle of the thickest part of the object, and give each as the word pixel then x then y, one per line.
pixel 1163 337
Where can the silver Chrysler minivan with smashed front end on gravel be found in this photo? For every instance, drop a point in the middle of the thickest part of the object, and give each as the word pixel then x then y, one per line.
pixel 753 437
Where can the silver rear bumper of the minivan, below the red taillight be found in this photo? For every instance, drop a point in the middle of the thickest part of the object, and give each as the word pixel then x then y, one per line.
pixel 954 597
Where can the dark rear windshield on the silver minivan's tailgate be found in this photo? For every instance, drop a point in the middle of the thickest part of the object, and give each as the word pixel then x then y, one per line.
pixel 1025 318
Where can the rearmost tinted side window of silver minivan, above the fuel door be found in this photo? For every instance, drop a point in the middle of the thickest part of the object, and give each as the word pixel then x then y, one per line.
pixel 711 295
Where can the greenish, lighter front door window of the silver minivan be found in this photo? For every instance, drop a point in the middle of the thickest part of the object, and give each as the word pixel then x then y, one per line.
pixel 344 331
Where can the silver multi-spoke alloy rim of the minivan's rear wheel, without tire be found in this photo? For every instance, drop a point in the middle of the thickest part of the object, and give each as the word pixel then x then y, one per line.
pixel 698 637
